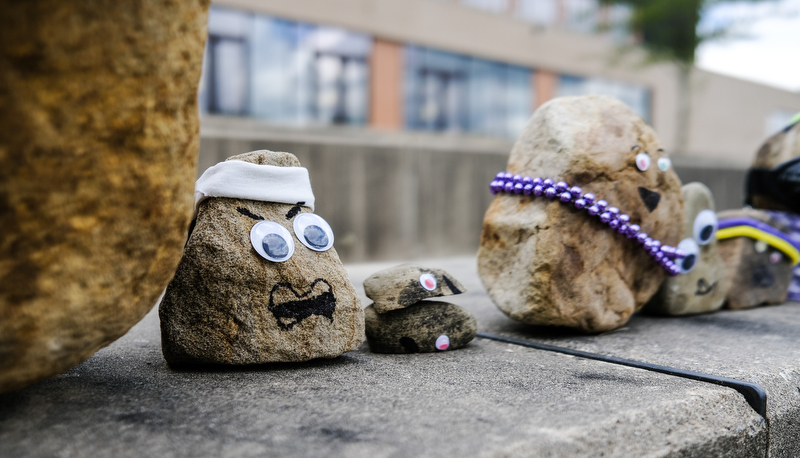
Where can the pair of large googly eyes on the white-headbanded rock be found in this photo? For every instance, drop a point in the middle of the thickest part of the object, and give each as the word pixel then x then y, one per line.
pixel 275 243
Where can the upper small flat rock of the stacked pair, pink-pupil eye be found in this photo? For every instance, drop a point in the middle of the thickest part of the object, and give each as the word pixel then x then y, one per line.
pixel 401 286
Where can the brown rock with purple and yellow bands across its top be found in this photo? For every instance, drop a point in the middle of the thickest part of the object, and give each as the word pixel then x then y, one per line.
pixel 758 255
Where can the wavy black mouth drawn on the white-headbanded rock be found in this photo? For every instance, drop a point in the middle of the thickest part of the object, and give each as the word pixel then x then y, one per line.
pixel 289 307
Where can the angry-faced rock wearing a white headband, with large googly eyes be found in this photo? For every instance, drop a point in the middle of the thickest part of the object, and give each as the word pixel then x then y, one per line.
pixel 259 280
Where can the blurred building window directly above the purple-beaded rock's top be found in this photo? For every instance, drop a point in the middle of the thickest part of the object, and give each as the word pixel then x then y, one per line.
pixel 635 96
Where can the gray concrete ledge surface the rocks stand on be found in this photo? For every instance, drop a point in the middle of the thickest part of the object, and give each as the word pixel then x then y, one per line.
pixel 488 399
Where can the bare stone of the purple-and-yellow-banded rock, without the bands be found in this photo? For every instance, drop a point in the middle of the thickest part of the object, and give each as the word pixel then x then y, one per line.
pixel 754 276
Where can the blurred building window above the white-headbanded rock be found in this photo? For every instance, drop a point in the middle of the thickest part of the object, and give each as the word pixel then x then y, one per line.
pixel 284 71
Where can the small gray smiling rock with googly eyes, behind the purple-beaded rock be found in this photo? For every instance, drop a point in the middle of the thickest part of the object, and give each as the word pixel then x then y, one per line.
pixel 704 283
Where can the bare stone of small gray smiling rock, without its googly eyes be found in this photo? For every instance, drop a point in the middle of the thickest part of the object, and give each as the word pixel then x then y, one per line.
pixel 705 287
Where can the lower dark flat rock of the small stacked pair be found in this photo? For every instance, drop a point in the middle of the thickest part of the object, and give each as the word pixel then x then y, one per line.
pixel 426 327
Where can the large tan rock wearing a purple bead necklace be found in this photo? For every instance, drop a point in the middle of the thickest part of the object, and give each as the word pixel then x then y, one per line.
pixel 581 232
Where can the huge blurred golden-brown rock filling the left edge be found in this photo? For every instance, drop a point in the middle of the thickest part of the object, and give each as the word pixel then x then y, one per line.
pixel 98 146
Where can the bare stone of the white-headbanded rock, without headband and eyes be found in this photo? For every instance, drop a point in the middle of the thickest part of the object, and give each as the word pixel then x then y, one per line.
pixel 229 305
